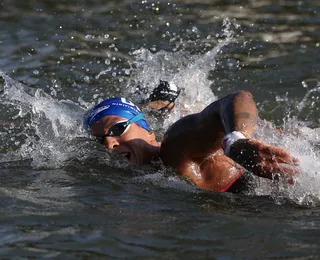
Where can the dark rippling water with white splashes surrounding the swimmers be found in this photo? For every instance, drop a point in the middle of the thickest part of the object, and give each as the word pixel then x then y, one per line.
pixel 63 196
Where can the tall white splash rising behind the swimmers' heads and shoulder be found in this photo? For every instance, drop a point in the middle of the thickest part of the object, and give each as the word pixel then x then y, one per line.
pixel 186 72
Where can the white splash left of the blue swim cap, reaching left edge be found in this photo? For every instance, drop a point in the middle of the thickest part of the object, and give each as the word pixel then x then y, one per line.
pixel 49 125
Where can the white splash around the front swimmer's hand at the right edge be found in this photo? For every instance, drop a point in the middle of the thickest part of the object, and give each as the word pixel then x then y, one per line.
pixel 302 142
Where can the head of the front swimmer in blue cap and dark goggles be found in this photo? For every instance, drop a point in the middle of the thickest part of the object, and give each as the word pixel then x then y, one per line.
pixel 120 126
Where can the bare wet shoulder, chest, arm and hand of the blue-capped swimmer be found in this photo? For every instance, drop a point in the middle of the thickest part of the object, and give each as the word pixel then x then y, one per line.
pixel 192 145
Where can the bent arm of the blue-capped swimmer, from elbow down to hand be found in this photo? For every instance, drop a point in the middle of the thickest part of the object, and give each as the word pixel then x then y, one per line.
pixel 238 112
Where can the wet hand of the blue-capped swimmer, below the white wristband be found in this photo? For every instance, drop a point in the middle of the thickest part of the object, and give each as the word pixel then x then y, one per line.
pixel 262 159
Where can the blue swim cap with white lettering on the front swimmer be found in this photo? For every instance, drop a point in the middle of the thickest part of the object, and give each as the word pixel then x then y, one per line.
pixel 115 107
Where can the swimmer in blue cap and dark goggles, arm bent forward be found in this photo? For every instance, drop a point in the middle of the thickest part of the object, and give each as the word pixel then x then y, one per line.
pixel 213 149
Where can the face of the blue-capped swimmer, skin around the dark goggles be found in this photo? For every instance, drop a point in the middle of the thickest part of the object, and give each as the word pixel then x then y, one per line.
pixel 135 143
